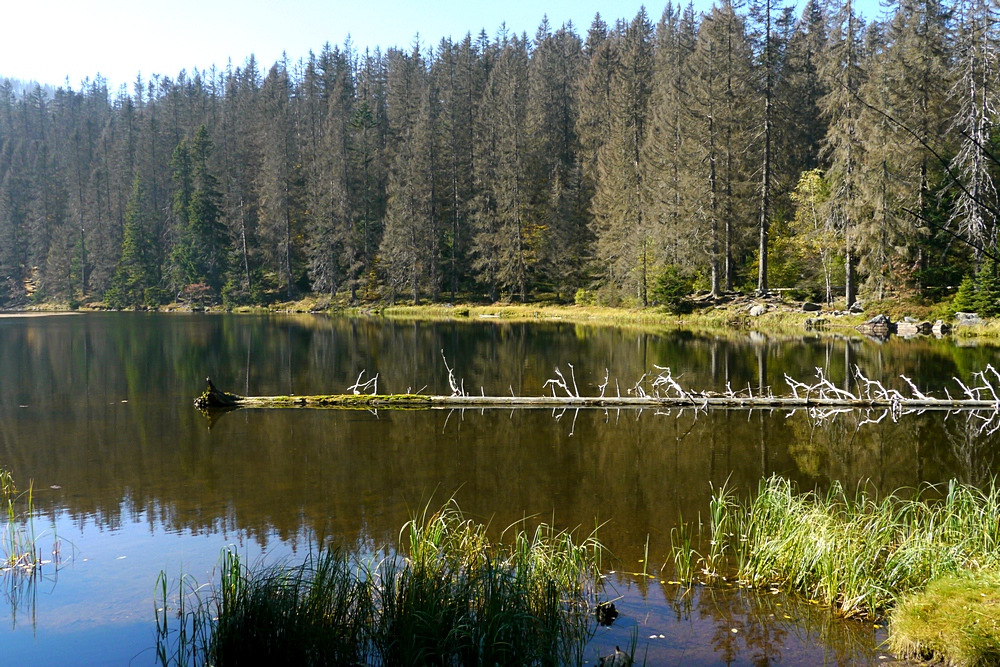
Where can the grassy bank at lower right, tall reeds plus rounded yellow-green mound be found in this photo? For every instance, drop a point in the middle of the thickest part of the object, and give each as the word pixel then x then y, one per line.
pixel 866 556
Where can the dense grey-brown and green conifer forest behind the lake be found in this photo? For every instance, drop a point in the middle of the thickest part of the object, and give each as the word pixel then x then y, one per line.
pixel 743 148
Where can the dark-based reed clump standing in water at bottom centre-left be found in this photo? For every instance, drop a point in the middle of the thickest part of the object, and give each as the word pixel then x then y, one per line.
pixel 448 596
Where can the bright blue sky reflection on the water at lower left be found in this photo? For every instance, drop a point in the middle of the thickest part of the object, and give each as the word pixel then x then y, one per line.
pixel 97 609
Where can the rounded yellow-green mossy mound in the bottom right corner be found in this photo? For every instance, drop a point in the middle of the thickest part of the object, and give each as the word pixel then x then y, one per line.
pixel 955 621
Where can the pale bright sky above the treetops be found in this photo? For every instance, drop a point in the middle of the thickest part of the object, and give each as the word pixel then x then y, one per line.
pixel 59 41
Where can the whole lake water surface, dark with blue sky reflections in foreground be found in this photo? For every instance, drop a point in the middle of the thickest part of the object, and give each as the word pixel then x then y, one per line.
pixel 129 479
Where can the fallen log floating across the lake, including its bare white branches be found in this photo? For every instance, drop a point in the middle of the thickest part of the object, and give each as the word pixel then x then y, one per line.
pixel 662 391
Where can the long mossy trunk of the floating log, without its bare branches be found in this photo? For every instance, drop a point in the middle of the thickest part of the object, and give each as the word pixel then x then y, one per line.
pixel 217 399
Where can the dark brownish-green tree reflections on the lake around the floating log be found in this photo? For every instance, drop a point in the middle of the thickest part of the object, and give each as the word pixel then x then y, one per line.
pixel 331 472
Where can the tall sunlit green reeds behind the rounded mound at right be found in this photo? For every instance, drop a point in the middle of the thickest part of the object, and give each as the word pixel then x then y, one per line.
pixel 856 552
